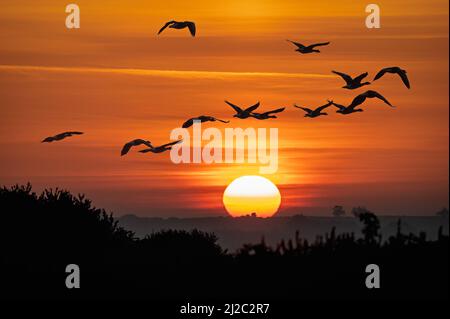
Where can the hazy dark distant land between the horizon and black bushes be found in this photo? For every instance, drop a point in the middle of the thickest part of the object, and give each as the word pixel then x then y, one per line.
pixel 233 232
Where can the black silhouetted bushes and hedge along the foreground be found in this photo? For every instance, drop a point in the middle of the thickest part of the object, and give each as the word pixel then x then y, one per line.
pixel 42 233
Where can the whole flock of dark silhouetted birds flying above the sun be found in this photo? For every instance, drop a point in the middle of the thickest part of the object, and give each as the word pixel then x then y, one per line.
pixel 352 83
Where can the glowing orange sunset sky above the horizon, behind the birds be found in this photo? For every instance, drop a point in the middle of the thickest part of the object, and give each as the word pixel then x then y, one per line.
pixel 116 80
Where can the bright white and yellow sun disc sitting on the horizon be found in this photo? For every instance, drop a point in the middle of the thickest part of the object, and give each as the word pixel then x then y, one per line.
pixel 251 194
